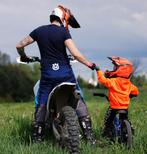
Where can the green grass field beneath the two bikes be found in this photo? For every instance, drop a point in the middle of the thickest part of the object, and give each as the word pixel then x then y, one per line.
pixel 16 119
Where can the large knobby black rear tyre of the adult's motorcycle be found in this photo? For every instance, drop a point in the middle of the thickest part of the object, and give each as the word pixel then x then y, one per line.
pixel 69 130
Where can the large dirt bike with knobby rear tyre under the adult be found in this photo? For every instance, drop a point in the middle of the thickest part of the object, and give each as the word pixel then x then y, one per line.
pixel 61 116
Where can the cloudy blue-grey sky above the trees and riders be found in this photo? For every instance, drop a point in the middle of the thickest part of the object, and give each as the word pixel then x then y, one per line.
pixel 116 27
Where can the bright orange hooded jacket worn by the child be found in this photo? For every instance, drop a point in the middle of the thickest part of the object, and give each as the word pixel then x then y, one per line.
pixel 119 90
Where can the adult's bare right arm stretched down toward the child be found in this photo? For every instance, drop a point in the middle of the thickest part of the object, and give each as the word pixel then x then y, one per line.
pixel 76 53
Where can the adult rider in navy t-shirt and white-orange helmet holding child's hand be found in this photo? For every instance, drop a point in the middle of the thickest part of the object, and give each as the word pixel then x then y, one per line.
pixel 52 41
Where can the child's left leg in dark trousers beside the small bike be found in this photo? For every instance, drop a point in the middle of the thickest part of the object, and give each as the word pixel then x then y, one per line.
pixel 108 122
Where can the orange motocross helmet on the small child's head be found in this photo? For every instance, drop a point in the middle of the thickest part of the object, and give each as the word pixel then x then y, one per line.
pixel 122 68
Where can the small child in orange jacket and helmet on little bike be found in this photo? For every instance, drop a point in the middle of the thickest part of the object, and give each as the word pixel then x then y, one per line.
pixel 120 89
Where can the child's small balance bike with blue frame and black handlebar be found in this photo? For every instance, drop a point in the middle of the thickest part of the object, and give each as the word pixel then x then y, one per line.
pixel 121 128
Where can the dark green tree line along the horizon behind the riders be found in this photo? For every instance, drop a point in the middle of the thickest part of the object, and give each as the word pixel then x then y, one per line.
pixel 17 80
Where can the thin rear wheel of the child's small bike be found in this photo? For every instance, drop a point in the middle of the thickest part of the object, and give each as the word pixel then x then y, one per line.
pixel 126 134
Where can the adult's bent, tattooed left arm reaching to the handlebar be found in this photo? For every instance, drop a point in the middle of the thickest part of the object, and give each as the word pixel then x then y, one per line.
pixel 20 46
